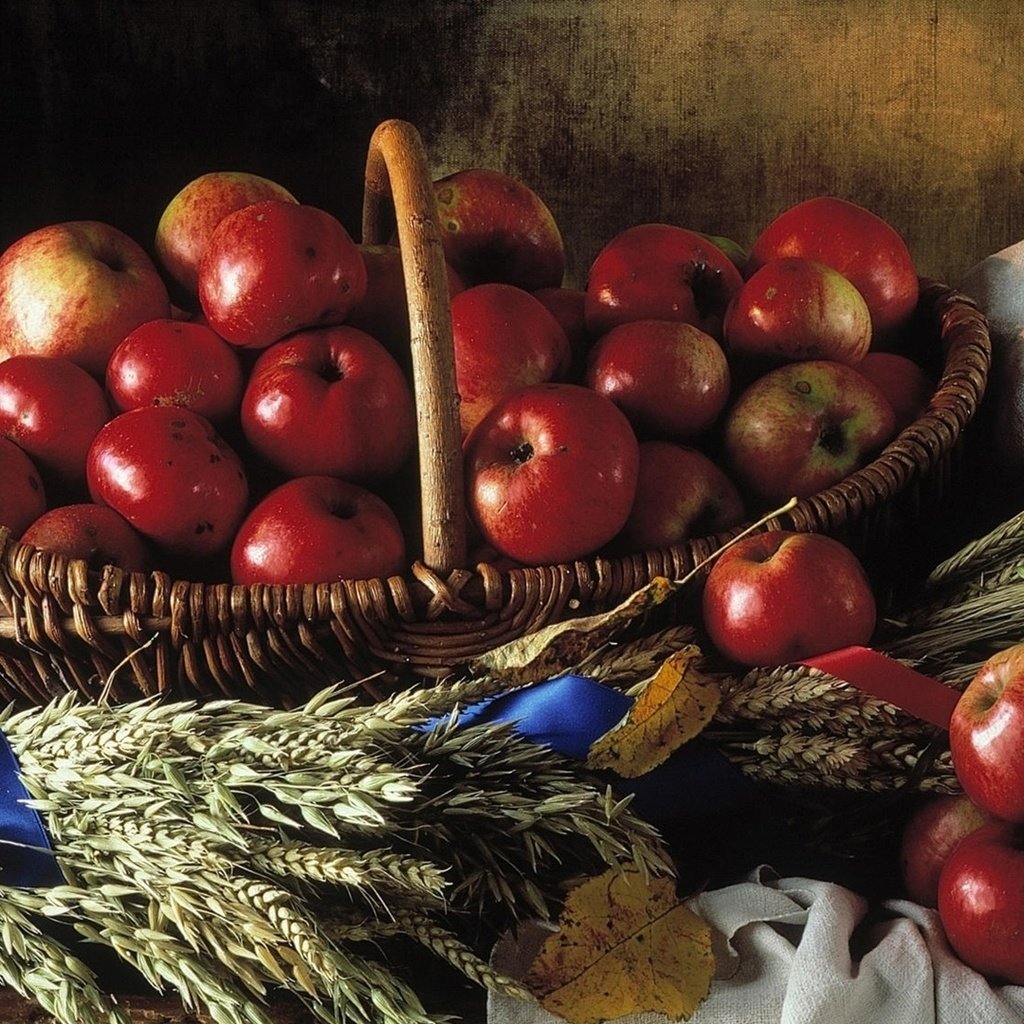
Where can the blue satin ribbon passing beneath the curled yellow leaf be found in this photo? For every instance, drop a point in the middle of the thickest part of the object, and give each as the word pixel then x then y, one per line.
pixel 567 714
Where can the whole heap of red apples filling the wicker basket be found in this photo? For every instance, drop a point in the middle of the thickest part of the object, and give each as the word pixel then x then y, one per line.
pixel 240 405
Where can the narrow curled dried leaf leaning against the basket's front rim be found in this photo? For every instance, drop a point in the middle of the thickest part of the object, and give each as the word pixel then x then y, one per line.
pixel 556 649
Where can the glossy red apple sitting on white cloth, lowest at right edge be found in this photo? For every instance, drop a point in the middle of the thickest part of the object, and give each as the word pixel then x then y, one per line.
pixel 982 902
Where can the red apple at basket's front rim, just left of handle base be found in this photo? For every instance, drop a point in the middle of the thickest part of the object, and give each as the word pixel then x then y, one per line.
pixel 318 529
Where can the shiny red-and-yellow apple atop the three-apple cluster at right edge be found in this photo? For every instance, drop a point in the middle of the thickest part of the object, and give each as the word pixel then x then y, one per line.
pixel 987 736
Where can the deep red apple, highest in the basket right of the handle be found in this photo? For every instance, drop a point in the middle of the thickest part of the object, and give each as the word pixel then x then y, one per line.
pixel 858 243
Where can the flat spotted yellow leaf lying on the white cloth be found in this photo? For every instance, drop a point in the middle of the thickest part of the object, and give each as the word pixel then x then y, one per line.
pixel 625 945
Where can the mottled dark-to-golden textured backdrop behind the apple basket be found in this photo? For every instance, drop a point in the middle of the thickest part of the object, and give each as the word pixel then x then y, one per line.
pixel 715 115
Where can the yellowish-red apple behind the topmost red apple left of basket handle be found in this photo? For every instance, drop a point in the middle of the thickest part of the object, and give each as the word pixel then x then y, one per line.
pixel 189 221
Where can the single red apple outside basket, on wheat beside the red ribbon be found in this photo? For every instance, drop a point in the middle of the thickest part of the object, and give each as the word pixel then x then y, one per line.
pixel 781 596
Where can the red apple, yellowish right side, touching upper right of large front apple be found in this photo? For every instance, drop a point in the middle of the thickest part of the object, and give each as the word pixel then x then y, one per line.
pixel 671 379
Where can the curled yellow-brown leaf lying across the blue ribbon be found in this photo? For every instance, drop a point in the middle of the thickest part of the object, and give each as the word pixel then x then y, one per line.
pixel 674 707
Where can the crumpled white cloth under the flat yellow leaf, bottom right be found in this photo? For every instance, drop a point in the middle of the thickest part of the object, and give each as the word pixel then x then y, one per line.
pixel 784 956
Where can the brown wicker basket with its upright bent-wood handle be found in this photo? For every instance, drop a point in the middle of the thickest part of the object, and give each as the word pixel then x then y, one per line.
pixel 64 625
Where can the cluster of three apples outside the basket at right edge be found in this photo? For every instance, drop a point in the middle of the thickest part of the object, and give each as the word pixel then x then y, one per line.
pixel 964 854
